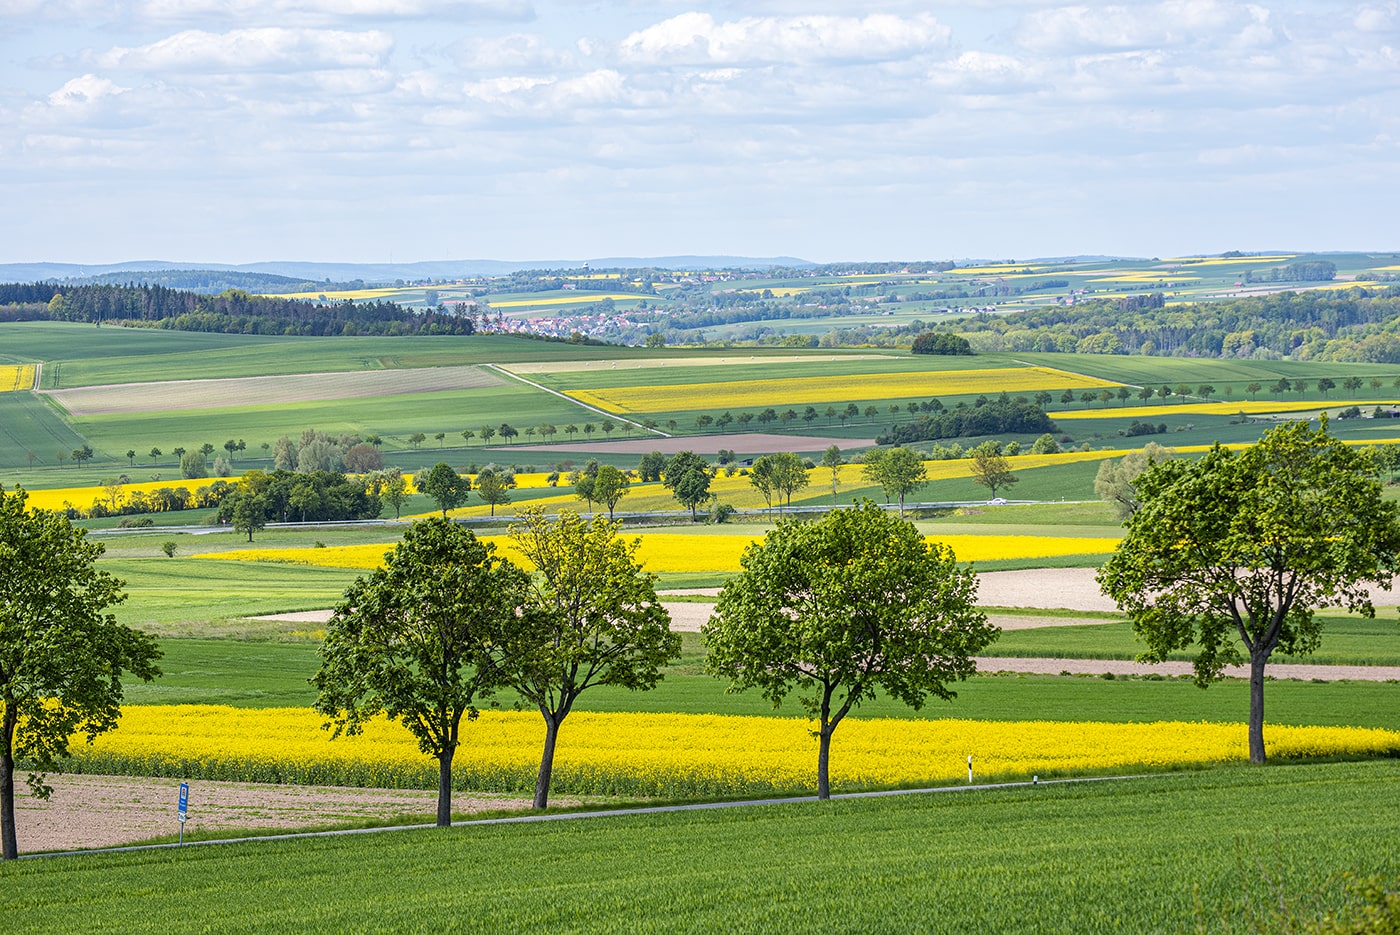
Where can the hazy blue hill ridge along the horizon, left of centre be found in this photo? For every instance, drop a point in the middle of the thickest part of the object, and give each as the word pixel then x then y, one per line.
pixel 321 275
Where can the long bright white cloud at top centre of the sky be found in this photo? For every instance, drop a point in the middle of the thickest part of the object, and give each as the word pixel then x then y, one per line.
pixel 696 38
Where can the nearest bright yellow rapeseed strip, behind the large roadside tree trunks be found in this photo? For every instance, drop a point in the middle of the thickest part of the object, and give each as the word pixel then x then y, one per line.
pixel 673 754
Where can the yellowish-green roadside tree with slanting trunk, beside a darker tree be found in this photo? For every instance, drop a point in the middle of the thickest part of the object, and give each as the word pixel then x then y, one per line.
pixel 593 618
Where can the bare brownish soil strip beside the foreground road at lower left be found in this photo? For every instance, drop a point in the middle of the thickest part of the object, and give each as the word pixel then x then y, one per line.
pixel 110 811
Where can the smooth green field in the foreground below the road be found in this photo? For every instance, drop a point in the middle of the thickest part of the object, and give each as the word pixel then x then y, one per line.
pixel 1172 853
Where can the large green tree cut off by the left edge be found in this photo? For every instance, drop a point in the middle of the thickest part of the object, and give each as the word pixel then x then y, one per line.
pixel 62 654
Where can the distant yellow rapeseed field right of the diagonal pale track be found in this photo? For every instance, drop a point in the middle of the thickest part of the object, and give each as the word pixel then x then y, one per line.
pixel 832 390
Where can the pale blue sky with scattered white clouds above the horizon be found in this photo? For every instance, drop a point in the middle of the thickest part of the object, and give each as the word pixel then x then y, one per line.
pixel 402 131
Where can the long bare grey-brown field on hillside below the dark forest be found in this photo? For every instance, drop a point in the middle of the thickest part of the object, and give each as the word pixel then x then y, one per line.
pixel 254 391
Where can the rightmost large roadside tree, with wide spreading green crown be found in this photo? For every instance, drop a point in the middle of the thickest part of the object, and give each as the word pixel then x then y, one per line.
pixel 1231 555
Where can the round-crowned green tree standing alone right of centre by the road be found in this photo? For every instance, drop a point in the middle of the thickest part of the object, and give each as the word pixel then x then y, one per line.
pixel 843 608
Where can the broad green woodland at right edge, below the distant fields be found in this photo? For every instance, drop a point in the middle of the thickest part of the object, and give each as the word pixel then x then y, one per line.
pixel 1345 325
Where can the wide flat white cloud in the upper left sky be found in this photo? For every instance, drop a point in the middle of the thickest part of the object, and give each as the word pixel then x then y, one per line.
pixel 267 50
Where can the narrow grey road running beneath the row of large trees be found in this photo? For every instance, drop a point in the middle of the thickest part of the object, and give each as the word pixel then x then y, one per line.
pixel 628 813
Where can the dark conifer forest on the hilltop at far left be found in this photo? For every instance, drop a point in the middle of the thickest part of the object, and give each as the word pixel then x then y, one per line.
pixel 233 311
